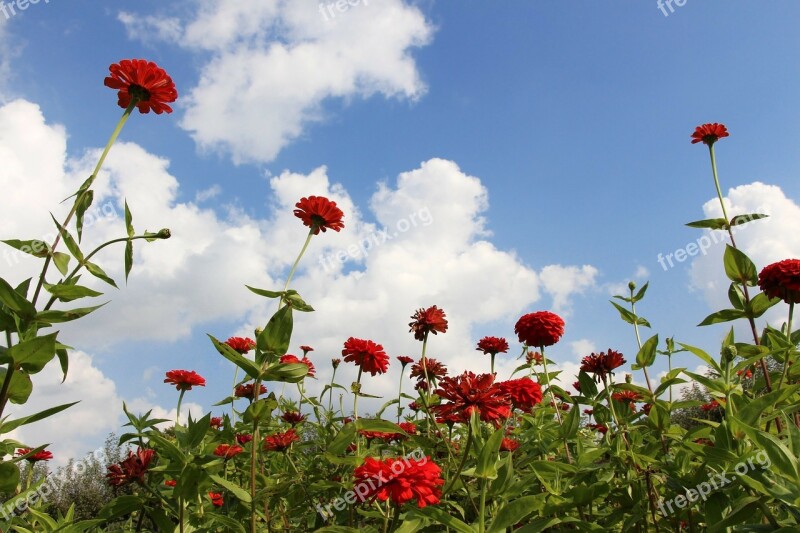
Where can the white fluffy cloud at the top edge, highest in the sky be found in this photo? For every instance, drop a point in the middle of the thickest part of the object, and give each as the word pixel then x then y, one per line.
pixel 271 65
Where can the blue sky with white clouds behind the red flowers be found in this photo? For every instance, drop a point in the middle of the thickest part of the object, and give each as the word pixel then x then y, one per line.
pixel 549 142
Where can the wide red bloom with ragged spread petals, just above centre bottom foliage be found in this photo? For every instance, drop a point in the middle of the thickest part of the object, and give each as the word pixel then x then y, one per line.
pixel 467 393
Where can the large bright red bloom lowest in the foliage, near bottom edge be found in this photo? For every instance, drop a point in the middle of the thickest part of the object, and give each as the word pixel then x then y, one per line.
pixel 401 479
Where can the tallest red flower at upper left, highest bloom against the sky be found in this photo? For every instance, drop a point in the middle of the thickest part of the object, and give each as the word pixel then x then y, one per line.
pixel 145 81
